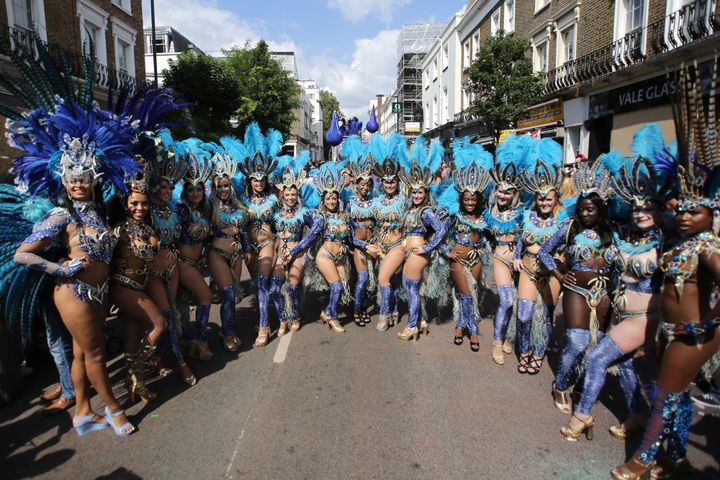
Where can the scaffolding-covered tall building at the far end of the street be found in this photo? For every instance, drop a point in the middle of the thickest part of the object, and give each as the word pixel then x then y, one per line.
pixel 414 42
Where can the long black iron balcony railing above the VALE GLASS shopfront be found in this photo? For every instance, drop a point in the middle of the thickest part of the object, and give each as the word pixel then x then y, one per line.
pixel 693 22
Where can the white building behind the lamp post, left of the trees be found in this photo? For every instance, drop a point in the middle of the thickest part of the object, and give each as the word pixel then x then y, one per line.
pixel 168 44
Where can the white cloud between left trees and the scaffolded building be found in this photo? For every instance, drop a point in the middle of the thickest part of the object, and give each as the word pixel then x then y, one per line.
pixel 373 70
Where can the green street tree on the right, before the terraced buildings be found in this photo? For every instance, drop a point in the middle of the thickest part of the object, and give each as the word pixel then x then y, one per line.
pixel 502 81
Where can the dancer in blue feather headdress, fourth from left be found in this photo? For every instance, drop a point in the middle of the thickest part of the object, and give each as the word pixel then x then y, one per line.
pixel 194 215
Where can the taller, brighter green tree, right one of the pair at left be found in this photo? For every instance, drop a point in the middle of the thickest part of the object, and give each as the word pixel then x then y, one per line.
pixel 267 92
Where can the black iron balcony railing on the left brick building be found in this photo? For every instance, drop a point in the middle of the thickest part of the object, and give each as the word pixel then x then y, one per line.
pixel 16 41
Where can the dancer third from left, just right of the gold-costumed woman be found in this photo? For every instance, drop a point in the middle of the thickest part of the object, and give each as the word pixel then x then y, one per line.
pixel 163 283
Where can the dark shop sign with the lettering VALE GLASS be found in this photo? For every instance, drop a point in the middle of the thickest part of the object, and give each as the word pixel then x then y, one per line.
pixel 653 92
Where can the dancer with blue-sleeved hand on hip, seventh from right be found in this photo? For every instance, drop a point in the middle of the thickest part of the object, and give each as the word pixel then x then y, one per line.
pixel 424 227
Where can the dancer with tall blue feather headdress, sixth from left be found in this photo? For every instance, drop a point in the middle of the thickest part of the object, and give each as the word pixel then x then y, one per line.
pixel 261 208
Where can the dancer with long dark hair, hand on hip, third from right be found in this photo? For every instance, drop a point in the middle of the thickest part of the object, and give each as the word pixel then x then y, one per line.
pixel 586 237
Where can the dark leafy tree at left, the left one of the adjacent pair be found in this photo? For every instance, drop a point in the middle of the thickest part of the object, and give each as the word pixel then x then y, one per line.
pixel 210 85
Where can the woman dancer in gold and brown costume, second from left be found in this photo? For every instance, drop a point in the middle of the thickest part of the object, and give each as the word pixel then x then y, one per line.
pixel 133 258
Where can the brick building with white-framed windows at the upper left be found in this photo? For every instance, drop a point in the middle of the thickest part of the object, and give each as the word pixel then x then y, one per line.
pixel 114 26
